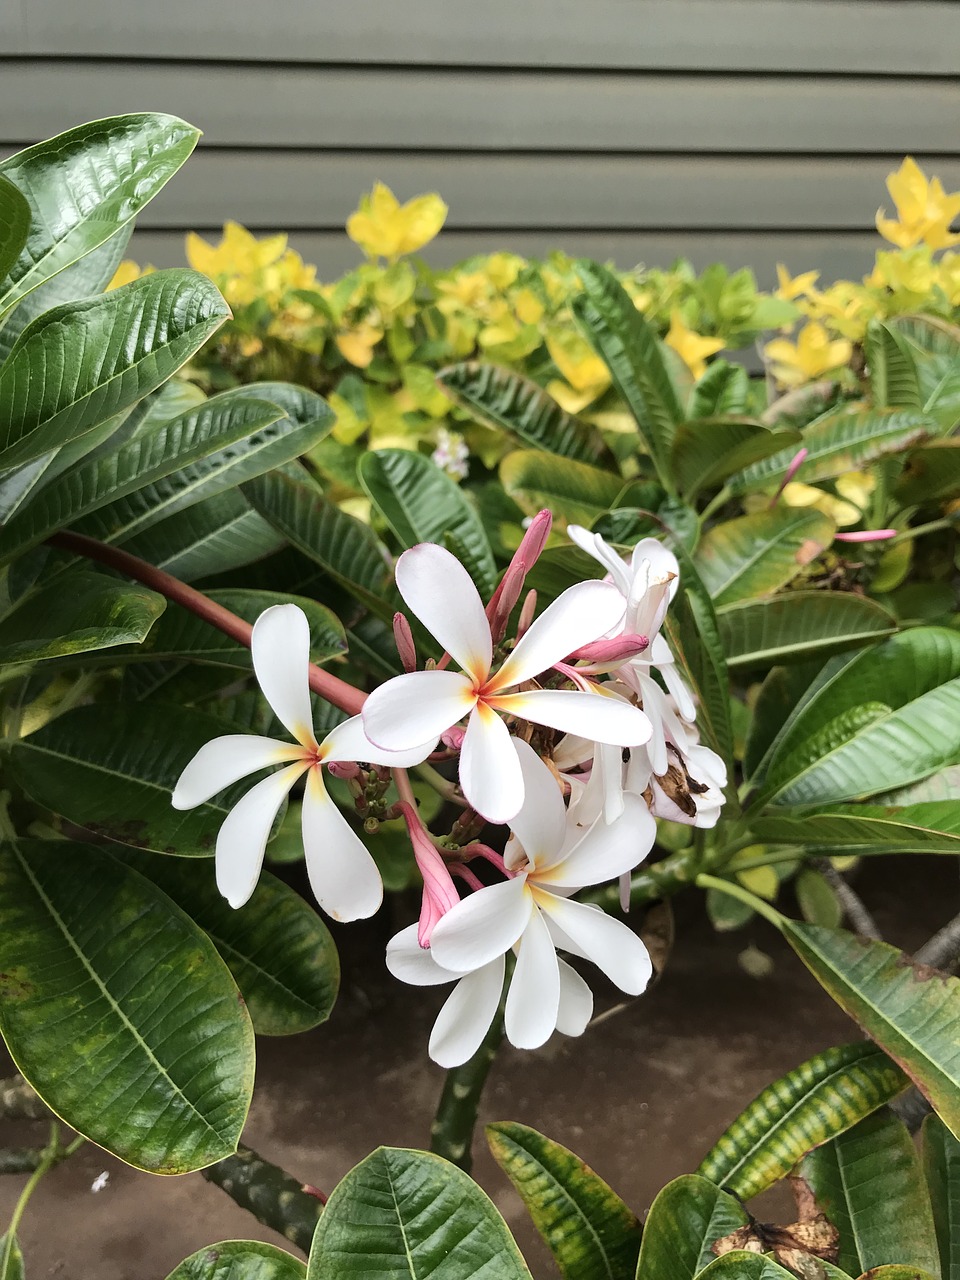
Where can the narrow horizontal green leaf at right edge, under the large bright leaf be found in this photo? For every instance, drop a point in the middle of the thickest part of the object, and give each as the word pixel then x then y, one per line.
pixel 931 828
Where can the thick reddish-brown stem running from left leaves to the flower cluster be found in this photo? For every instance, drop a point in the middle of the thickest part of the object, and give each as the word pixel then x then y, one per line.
pixel 324 684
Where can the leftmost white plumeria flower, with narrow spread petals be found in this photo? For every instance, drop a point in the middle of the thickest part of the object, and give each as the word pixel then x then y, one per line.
pixel 342 874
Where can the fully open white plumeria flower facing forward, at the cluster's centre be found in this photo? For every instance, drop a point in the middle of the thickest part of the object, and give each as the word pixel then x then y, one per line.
pixel 424 705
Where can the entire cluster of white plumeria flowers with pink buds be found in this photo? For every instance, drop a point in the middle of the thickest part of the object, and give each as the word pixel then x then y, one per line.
pixel 572 732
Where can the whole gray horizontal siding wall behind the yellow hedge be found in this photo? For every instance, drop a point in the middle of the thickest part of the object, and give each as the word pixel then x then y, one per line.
pixel 751 131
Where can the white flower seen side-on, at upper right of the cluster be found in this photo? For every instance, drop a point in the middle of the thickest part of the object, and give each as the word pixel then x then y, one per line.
pixel 648 583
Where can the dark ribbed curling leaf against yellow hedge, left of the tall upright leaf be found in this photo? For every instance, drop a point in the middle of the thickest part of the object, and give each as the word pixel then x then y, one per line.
pixel 502 399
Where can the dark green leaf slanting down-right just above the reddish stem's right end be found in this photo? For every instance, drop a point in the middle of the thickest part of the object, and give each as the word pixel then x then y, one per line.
pixel 346 548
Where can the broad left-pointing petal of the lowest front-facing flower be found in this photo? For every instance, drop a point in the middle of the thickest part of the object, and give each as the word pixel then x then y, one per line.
pixel 483 927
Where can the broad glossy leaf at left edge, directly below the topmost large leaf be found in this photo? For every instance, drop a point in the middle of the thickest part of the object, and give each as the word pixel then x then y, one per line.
pixel 84 363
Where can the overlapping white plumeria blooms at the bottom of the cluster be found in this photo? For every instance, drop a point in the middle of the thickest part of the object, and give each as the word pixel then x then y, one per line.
pixel 550 857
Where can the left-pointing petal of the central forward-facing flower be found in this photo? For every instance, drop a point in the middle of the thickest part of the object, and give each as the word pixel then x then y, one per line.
pixel 410 710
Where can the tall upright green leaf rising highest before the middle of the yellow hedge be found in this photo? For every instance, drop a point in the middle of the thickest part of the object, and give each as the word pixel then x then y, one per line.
pixel 630 350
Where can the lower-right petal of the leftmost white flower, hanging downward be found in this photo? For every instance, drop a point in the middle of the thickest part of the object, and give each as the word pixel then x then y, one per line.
pixel 342 874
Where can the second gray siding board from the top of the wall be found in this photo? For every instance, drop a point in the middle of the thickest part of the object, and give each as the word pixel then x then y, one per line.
pixel 268 107
